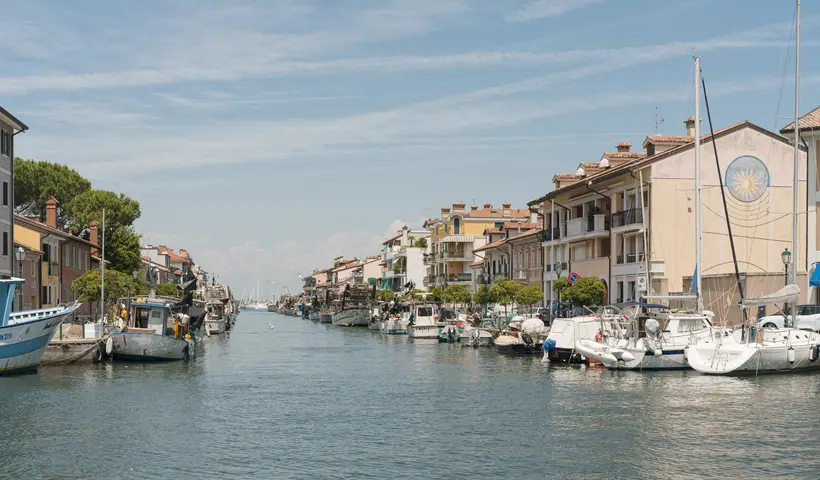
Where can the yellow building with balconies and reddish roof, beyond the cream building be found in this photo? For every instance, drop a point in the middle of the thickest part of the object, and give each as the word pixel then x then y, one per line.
pixel 456 235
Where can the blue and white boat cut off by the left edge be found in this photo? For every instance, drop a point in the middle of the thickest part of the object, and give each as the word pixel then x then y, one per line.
pixel 24 336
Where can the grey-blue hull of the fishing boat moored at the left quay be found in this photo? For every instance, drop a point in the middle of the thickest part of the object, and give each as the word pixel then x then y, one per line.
pixel 149 347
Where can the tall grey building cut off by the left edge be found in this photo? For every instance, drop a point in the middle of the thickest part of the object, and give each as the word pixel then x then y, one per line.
pixel 9 127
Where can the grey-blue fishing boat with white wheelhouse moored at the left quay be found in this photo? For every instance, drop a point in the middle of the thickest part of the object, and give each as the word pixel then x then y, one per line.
pixel 148 337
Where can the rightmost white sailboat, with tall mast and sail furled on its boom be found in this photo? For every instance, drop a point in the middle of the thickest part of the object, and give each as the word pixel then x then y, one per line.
pixel 778 350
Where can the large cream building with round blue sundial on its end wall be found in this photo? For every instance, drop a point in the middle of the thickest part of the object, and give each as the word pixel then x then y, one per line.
pixel 633 213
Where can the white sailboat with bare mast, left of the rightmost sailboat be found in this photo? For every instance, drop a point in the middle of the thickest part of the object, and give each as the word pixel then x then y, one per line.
pixel 620 344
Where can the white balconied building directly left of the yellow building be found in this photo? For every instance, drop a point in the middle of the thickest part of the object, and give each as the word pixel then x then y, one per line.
pixel 403 259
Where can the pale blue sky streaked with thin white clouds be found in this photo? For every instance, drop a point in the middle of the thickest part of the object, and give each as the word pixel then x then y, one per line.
pixel 268 137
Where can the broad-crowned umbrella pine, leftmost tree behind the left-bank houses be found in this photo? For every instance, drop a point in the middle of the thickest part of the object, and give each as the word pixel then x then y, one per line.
pixel 36 181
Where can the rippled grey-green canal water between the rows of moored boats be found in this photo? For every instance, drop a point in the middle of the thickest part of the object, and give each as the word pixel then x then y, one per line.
pixel 307 400
